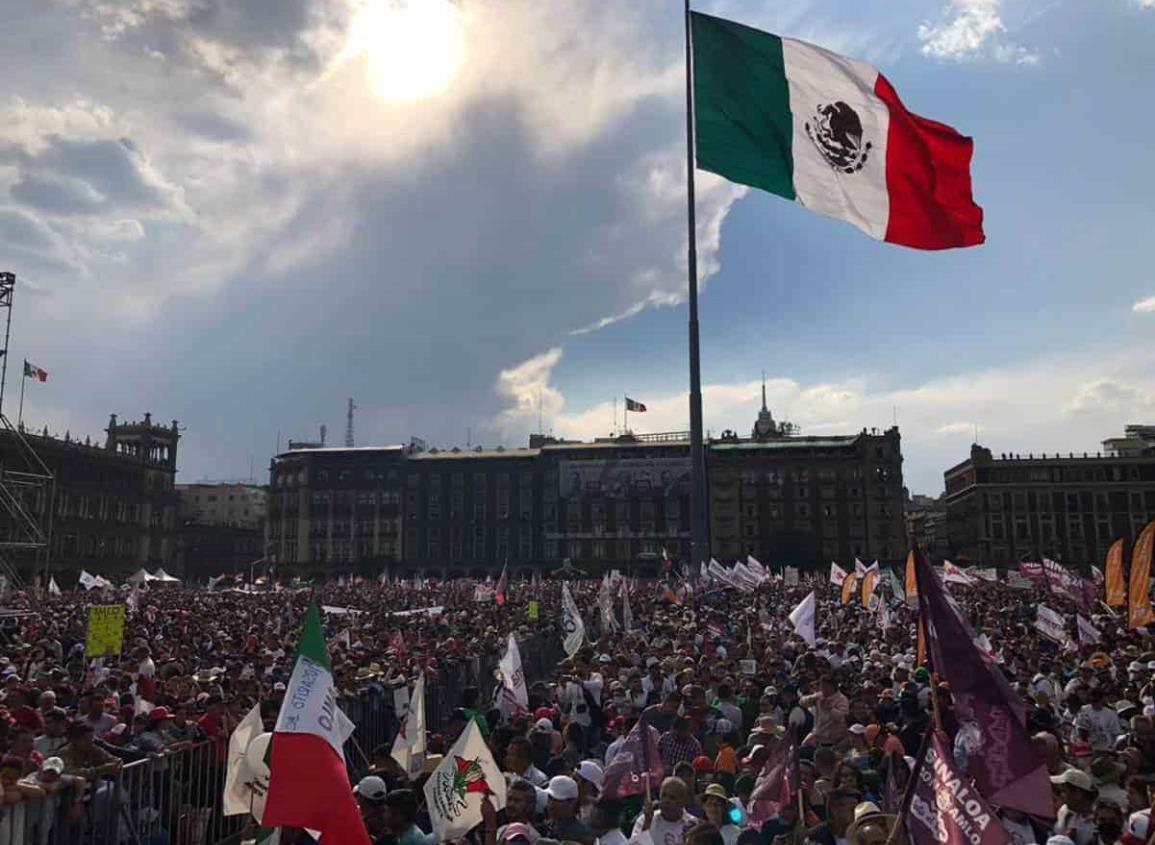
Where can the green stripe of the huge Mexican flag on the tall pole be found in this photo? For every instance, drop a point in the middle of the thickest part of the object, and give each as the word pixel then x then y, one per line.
pixel 742 106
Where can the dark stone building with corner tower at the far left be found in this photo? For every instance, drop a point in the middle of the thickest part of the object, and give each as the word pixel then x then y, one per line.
pixel 109 510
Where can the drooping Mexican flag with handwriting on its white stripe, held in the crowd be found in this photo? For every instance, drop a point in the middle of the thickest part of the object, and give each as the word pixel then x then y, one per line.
pixel 309 786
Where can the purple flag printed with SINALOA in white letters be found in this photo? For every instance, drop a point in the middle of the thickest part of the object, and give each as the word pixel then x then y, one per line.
pixel 944 809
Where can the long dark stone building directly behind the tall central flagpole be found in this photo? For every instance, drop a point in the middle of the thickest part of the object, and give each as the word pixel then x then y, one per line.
pixel 616 503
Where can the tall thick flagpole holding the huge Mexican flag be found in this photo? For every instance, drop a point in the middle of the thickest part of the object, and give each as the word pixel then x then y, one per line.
pixel 699 528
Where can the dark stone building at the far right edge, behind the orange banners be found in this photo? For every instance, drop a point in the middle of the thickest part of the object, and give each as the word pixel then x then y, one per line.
pixel 1069 509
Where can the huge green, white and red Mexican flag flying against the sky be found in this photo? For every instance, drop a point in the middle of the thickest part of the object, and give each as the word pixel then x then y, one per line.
pixel 831 133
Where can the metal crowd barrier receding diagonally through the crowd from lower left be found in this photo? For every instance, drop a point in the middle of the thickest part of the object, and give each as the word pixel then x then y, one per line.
pixel 175 799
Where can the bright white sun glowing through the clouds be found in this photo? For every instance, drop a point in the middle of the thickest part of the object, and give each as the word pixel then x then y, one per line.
pixel 413 49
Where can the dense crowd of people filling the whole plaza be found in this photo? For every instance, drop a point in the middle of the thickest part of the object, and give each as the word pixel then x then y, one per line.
pixel 718 675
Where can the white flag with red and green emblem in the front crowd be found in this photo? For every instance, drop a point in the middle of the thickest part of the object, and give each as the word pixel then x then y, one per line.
pixel 454 791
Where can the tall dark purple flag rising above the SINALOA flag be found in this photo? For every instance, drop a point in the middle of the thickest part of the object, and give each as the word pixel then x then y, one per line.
pixel 1007 768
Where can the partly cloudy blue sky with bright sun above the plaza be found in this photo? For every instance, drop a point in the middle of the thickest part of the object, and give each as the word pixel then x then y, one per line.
pixel 467 215
